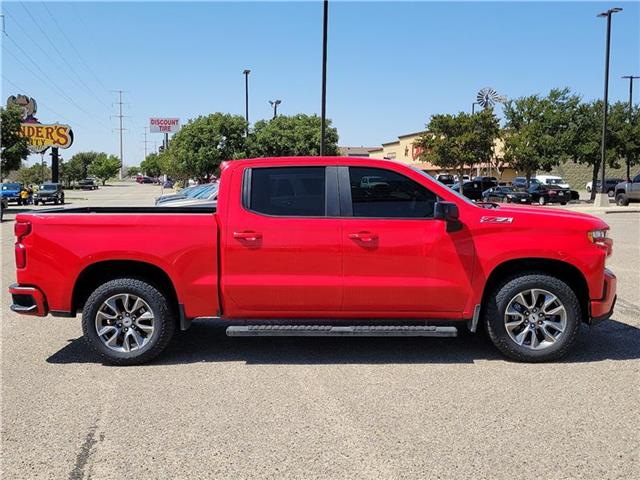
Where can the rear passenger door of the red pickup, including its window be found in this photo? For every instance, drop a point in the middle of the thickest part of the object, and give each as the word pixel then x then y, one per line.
pixel 282 254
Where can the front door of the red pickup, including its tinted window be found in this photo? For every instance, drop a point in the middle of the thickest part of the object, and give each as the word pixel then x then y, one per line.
pixel 398 260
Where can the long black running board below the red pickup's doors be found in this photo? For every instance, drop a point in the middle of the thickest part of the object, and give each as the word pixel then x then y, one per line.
pixel 340 331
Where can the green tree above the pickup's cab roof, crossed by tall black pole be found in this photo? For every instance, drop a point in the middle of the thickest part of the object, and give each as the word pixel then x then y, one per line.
pixel 291 136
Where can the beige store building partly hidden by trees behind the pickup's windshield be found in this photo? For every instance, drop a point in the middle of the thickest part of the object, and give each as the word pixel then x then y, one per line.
pixel 405 151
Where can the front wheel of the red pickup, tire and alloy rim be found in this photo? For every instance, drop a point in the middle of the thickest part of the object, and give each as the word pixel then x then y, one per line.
pixel 533 317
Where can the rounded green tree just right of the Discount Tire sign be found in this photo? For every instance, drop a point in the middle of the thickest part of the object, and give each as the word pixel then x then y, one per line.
pixel 202 144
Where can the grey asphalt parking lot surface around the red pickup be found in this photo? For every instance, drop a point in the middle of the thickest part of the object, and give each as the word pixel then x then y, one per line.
pixel 219 407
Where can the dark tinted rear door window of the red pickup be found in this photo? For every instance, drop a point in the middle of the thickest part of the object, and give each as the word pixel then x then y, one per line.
pixel 288 191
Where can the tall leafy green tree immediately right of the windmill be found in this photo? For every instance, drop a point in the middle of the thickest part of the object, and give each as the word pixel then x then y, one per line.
pixel 539 131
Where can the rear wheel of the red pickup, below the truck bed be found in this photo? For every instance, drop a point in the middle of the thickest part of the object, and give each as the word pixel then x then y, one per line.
pixel 128 321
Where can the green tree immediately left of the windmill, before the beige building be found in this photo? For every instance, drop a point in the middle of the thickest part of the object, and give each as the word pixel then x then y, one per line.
pixel 459 141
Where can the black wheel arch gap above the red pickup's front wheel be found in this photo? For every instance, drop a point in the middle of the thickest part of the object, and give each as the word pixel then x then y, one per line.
pixel 559 269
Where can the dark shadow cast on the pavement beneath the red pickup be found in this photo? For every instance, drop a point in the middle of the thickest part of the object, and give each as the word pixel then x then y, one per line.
pixel 206 342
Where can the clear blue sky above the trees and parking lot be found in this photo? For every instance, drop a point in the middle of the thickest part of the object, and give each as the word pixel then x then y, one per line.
pixel 391 64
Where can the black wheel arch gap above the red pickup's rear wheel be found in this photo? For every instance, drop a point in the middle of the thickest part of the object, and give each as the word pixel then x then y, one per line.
pixel 98 273
